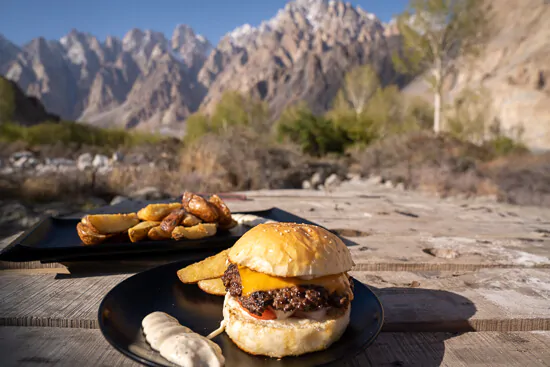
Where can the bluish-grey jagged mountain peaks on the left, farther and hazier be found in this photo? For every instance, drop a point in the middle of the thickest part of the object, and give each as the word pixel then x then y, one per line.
pixel 81 78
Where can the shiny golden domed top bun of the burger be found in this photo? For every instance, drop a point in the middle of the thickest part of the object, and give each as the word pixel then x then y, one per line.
pixel 291 250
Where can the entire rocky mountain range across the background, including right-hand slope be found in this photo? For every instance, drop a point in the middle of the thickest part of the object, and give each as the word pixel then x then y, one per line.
pixel 147 81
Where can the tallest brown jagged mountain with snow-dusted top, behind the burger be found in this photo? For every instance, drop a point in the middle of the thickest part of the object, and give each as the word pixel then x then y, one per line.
pixel 300 54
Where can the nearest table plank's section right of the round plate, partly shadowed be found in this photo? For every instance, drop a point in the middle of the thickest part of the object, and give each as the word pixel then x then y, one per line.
pixel 469 349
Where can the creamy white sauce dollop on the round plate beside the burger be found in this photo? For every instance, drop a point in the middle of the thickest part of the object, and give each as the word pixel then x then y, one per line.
pixel 179 344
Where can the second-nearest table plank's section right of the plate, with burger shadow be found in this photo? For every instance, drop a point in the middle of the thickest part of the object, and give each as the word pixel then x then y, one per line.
pixel 485 300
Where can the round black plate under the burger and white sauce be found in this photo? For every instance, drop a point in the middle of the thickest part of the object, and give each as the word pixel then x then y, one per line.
pixel 159 289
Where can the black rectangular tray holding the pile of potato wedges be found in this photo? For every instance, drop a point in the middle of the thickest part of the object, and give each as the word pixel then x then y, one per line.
pixel 56 239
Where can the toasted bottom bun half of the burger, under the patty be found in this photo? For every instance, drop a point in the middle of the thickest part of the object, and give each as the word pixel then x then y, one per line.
pixel 280 338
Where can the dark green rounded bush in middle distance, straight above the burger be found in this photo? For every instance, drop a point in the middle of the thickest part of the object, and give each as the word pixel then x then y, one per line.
pixel 316 135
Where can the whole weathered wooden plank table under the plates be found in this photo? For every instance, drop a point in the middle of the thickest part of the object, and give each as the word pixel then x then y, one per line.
pixel 483 299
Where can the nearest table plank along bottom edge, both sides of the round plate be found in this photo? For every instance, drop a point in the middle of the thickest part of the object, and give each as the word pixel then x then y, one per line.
pixel 27 346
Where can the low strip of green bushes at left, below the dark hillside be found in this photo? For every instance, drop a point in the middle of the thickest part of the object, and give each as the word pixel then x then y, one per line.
pixel 74 133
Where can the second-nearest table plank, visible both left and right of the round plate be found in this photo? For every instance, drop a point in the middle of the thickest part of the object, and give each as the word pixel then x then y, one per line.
pixel 487 300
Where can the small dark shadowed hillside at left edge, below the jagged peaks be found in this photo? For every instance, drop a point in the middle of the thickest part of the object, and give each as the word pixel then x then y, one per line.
pixel 16 107
